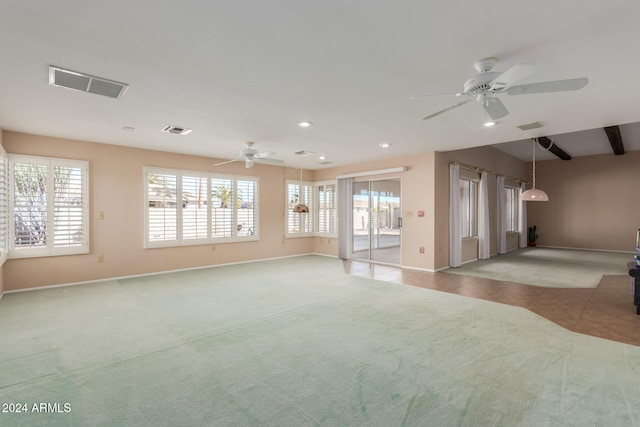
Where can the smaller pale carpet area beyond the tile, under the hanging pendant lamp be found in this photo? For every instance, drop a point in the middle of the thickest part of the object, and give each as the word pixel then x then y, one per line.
pixel 549 267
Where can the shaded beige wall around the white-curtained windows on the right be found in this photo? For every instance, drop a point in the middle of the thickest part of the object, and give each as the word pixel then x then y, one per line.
pixel 485 158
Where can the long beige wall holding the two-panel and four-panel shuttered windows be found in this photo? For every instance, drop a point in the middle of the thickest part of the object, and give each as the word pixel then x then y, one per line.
pixel 117 189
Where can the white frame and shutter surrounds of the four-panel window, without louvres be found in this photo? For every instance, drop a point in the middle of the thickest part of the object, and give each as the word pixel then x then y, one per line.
pixel 235 234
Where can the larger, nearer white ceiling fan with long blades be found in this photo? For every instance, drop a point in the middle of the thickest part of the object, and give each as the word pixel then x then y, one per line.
pixel 482 87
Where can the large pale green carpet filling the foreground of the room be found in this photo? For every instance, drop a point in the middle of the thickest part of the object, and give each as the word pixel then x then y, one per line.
pixel 297 342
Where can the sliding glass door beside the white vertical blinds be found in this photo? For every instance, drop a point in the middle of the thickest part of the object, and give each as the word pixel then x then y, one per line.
pixel 377 222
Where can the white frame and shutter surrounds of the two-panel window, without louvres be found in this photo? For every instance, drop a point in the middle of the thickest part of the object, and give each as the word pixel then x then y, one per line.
pixel 49 248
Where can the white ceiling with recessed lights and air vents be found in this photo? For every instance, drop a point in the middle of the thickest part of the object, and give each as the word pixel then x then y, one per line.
pixel 249 70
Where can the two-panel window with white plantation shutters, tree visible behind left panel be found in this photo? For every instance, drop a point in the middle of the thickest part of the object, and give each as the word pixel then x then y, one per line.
pixel 49 198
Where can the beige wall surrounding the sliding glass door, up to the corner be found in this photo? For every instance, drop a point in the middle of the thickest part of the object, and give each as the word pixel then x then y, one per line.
pixel 417 194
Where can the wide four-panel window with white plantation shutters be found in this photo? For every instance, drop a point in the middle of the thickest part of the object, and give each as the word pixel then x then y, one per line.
pixel 195 208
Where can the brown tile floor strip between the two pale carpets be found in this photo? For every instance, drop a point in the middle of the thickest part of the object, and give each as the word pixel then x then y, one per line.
pixel 606 311
